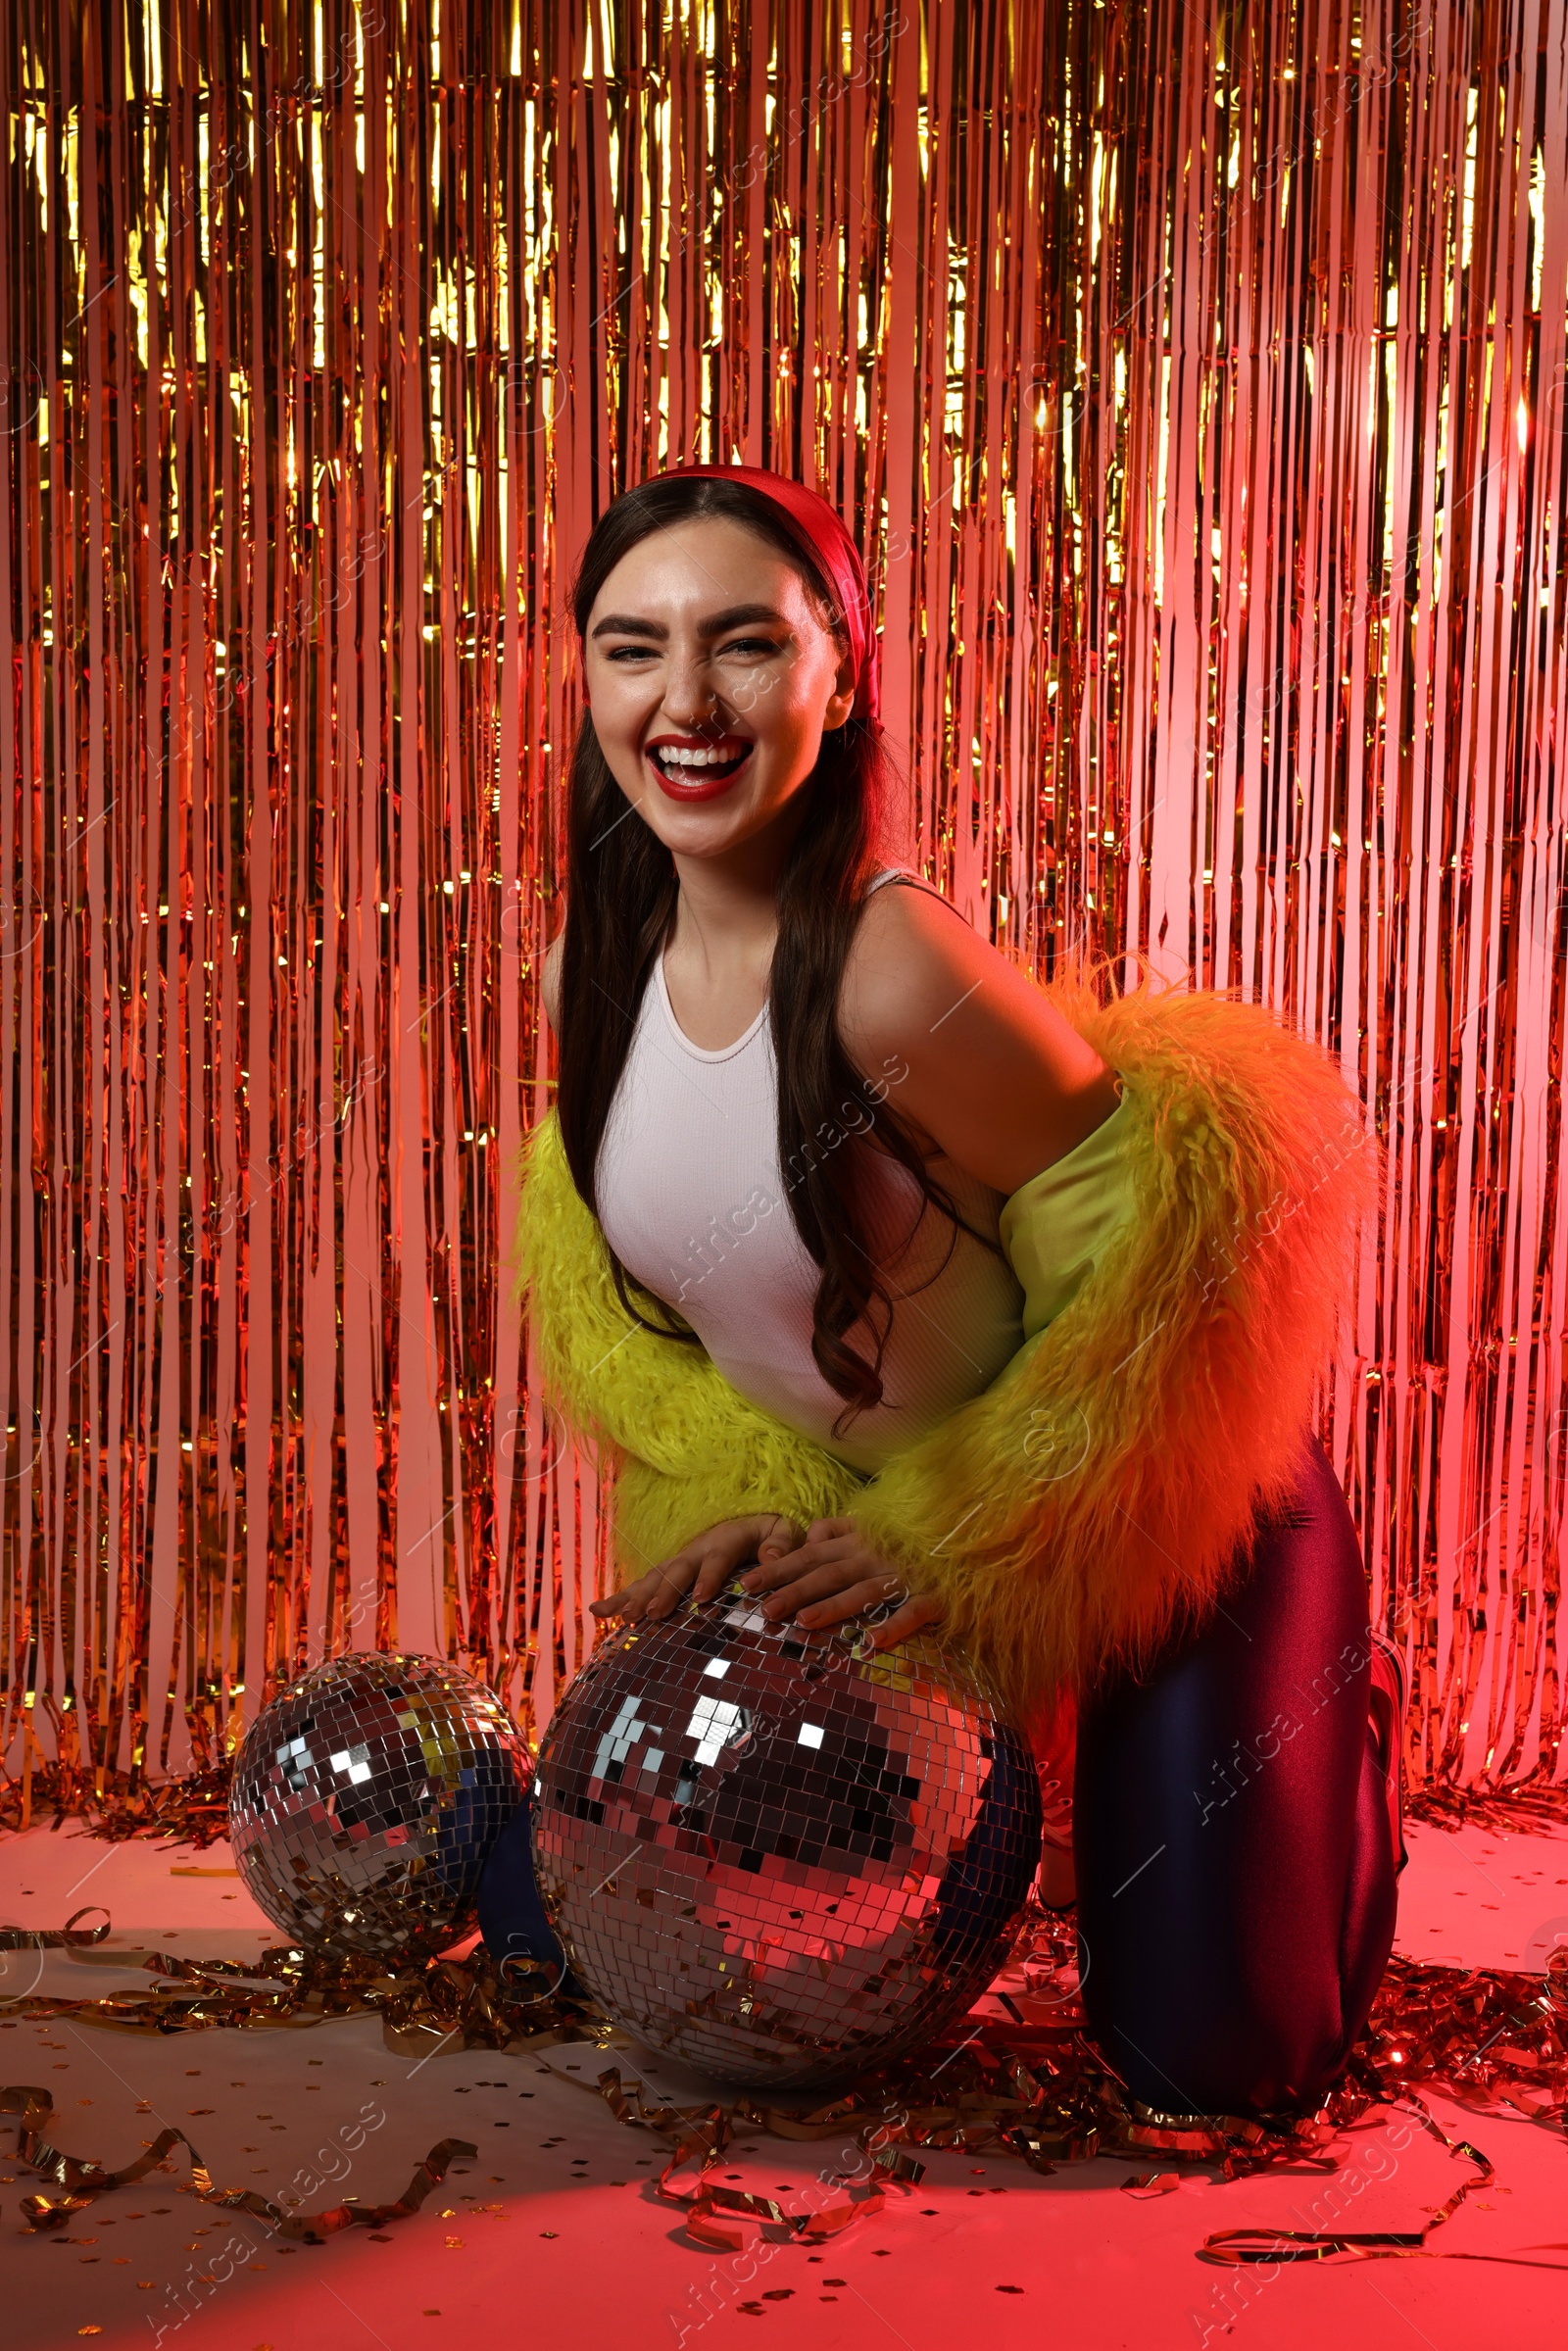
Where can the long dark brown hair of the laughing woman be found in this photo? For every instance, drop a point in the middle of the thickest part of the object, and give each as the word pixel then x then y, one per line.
pixel 622 895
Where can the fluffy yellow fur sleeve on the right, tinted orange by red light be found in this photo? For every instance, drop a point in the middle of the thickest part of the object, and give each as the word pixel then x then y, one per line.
pixel 1104 1487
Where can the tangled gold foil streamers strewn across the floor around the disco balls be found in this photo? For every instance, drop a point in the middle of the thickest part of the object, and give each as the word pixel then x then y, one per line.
pixel 1017 2087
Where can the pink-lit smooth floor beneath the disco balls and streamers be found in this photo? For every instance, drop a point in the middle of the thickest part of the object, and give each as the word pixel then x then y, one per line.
pixel 554 2235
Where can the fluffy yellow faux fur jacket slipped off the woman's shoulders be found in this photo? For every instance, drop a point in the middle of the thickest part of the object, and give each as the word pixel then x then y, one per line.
pixel 1101 1489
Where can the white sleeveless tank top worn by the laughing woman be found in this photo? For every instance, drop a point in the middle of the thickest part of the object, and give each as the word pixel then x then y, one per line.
pixel 695 1203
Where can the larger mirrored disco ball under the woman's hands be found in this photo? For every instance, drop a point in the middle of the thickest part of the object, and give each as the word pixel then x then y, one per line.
pixel 775 1858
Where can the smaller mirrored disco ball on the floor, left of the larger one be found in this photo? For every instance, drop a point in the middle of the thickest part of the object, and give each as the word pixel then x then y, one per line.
pixel 368 1800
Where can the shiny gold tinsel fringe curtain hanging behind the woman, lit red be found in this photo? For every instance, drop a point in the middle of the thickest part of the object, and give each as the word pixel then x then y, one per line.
pixel 1198 382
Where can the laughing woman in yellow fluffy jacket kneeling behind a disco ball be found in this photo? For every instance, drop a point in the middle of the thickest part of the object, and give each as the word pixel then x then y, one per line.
pixel 925 1297
